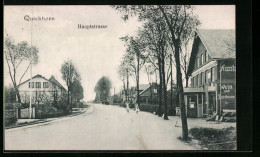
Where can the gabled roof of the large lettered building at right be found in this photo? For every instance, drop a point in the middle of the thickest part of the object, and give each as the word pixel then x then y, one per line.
pixel 219 43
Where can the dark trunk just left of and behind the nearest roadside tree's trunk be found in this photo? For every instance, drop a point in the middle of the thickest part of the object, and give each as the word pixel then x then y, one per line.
pixel 164 88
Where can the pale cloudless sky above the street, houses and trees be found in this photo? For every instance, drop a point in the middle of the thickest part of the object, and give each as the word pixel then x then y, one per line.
pixel 95 52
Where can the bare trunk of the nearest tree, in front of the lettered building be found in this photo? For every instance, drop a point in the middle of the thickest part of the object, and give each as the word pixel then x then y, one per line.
pixel 181 95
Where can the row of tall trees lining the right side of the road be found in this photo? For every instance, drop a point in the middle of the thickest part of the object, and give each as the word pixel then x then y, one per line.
pixel 165 33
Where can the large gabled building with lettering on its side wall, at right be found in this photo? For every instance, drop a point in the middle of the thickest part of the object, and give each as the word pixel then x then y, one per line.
pixel 212 69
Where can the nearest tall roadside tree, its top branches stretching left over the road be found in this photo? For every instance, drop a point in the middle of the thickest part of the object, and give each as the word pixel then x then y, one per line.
pixel 180 20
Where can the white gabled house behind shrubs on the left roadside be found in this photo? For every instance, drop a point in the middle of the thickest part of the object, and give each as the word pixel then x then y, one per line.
pixel 42 90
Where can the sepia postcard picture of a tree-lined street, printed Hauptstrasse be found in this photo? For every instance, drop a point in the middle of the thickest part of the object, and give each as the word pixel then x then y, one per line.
pixel 119 77
